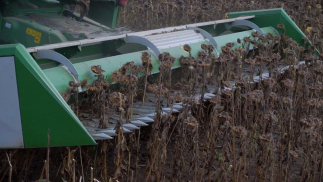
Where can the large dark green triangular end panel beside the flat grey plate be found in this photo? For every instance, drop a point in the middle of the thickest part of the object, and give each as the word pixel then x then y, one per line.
pixel 42 107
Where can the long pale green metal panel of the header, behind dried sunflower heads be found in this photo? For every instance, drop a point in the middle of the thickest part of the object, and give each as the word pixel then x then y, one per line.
pixel 60 77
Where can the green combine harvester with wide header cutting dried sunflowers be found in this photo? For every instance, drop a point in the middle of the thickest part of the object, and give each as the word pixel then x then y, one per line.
pixel 45 45
